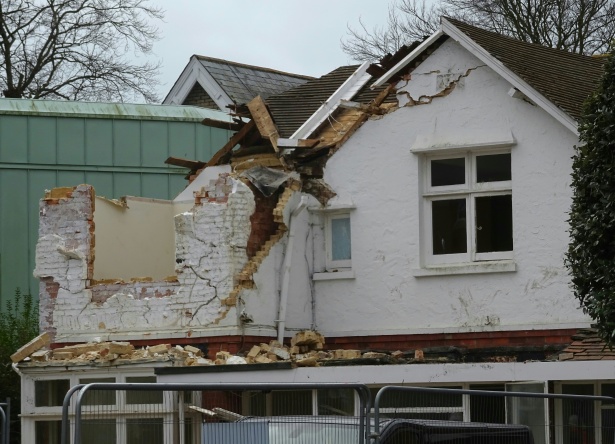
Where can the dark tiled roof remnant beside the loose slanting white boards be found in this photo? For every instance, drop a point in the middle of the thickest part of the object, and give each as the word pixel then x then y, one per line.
pixel 293 108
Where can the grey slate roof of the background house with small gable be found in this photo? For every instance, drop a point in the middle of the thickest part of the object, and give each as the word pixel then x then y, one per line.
pixel 244 82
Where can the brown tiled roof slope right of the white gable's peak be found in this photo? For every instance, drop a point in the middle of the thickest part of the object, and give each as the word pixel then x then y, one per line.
pixel 564 78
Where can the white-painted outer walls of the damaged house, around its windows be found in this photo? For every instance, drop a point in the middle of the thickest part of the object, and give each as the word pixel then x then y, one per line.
pixel 454 103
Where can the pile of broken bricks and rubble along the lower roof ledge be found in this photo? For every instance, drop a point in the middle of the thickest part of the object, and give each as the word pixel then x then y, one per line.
pixel 306 350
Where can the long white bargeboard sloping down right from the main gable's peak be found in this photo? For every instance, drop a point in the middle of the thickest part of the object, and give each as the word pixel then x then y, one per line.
pixel 493 63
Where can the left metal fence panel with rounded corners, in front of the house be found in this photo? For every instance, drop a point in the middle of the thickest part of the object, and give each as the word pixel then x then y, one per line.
pixel 152 413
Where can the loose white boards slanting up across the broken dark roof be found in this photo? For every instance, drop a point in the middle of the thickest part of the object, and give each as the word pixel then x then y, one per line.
pixel 346 91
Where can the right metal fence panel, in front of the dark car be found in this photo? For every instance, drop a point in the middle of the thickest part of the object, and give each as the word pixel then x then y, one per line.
pixel 456 416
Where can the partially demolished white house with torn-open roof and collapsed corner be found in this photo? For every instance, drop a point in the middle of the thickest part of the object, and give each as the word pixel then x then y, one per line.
pixel 411 212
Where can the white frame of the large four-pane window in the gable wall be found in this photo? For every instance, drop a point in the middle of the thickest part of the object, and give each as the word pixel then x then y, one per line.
pixel 469 191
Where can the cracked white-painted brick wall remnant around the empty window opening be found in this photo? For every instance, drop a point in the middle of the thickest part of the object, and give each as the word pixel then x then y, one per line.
pixel 211 242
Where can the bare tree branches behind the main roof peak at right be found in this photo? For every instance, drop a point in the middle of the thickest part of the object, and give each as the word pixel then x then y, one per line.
pixel 581 26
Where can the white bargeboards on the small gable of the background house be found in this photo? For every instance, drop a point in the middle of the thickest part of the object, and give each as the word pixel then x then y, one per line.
pixel 192 73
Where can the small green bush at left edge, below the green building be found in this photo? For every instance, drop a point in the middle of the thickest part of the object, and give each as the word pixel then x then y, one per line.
pixel 18 325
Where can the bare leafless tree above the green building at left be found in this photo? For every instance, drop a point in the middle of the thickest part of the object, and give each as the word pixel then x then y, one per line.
pixel 78 49
